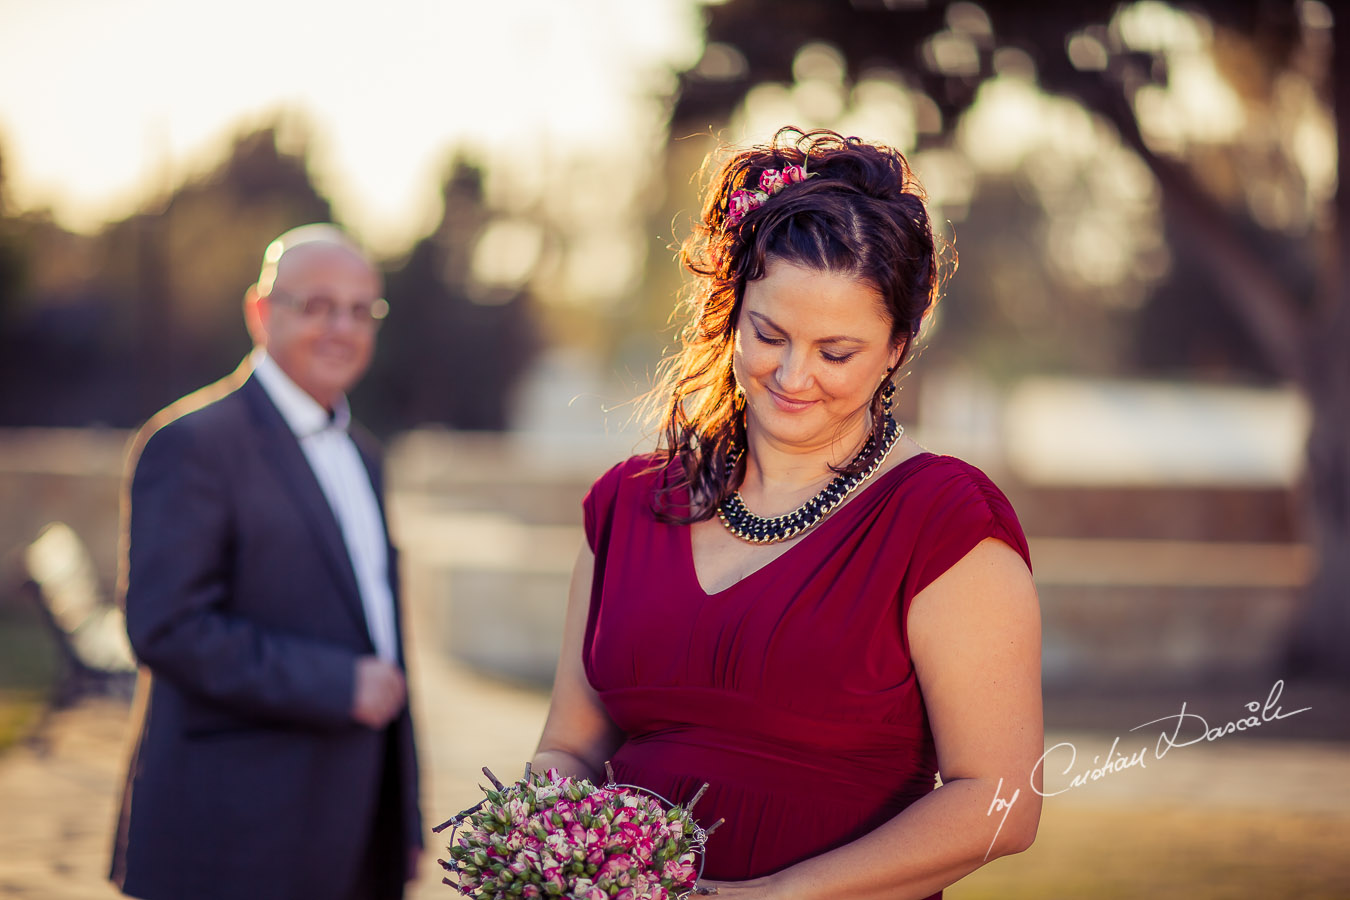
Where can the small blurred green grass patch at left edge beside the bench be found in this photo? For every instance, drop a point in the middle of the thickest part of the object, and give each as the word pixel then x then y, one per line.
pixel 29 666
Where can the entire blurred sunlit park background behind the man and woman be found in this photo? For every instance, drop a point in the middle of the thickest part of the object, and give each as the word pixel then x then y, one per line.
pixel 1139 341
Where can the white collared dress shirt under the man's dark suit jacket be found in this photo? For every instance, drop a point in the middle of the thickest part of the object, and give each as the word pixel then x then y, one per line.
pixel 342 476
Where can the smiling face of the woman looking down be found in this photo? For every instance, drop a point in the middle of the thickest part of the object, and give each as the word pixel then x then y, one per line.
pixel 812 349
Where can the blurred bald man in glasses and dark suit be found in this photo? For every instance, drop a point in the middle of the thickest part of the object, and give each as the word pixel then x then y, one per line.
pixel 276 748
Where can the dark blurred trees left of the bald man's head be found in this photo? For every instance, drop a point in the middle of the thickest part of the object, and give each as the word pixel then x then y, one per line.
pixel 109 329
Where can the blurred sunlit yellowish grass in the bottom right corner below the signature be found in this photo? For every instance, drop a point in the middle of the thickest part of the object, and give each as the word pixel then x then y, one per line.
pixel 1171 853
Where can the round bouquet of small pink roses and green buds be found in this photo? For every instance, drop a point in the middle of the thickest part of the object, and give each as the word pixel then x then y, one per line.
pixel 564 837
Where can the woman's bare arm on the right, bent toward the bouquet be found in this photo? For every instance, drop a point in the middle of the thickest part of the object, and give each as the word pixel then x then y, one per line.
pixel 975 639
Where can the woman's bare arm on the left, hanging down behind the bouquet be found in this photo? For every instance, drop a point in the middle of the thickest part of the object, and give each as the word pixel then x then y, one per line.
pixel 578 735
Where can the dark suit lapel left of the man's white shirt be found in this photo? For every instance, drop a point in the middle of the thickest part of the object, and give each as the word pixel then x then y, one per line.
pixel 283 451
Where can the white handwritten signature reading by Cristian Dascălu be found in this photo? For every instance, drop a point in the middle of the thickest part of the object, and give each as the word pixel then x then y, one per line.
pixel 1179 731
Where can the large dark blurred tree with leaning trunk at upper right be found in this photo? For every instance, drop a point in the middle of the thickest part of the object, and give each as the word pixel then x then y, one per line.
pixel 1226 103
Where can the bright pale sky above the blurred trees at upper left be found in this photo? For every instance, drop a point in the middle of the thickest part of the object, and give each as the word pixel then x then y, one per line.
pixel 107 105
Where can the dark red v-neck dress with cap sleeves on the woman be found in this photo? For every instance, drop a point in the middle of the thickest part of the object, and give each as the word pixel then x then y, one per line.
pixel 790 693
